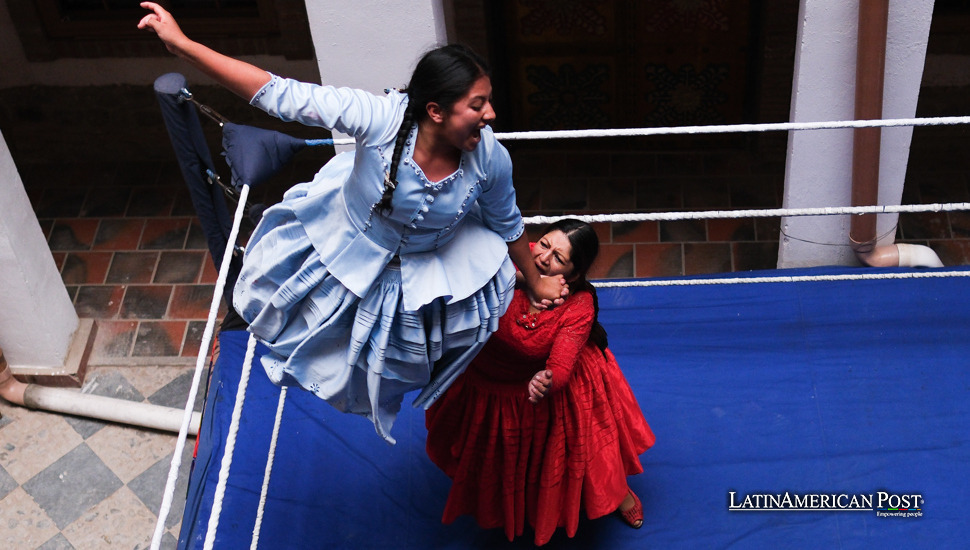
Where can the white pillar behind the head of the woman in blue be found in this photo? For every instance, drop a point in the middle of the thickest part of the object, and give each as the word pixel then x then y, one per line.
pixel 373 44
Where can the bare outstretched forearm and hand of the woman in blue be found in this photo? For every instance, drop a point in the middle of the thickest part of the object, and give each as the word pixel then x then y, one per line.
pixel 238 76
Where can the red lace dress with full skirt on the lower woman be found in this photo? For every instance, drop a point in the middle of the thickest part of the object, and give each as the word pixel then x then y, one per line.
pixel 512 461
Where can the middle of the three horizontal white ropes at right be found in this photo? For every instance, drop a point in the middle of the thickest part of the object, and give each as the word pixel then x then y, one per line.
pixel 755 213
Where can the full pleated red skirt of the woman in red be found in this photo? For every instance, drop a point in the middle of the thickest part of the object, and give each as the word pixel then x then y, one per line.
pixel 512 461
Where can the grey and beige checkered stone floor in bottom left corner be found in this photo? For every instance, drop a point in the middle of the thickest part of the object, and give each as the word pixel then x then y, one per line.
pixel 75 483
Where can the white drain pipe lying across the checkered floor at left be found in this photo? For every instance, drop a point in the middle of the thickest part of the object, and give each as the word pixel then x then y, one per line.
pixel 65 401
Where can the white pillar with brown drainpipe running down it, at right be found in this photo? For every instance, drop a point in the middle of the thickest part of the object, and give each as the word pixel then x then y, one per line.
pixel 819 165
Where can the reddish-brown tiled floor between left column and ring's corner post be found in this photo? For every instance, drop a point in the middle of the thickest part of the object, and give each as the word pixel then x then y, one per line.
pixel 132 256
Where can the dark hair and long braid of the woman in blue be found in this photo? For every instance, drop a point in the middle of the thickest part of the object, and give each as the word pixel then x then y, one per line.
pixel 443 76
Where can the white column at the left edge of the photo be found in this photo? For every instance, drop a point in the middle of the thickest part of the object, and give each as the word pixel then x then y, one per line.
pixel 37 319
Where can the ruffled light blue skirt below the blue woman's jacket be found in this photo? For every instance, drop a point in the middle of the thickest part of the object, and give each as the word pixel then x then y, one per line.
pixel 360 354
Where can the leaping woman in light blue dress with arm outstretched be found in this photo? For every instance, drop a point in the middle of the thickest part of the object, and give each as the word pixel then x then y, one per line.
pixel 388 271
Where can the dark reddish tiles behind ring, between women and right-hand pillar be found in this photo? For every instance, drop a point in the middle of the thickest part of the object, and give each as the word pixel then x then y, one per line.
pixel 556 182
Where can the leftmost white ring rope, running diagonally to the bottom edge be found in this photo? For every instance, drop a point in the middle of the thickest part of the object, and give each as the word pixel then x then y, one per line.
pixel 166 505
